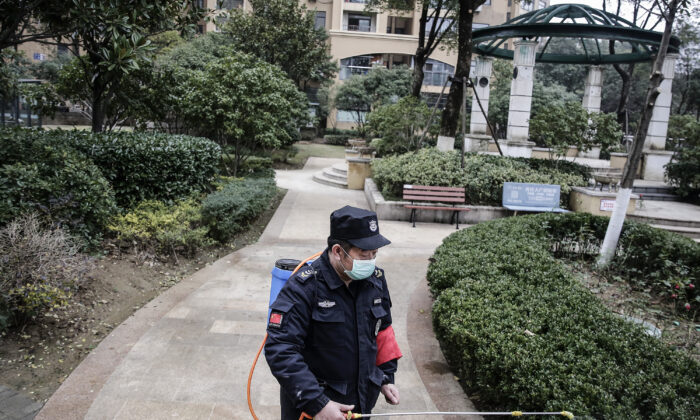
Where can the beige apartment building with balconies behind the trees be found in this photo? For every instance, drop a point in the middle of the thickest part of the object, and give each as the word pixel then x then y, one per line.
pixel 361 39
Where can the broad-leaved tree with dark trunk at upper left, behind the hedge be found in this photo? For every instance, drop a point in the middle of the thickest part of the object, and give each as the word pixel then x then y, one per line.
pixel 113 37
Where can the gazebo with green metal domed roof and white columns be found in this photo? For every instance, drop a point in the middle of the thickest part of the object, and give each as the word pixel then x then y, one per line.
pixel 583 35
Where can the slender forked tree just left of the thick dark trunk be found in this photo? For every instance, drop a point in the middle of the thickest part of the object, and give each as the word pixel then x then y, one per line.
pixel 437 23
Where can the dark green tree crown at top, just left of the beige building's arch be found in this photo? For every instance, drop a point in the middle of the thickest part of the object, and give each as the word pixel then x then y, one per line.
pixel 283 33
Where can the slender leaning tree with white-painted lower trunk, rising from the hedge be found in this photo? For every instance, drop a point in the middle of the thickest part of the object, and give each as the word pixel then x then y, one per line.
pixel 612 235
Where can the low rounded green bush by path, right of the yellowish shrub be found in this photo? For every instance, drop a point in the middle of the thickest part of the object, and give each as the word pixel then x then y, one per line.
pixel 231 209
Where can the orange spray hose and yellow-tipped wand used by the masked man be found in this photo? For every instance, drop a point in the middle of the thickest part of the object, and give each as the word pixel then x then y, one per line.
pixel 351 415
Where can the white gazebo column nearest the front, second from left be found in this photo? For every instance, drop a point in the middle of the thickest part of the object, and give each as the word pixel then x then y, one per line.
pixel 521 90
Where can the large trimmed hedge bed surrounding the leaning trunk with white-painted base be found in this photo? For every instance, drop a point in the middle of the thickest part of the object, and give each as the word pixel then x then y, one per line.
pixel 519 326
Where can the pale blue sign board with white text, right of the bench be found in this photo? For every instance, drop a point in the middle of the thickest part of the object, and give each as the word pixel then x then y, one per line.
pixel 531 197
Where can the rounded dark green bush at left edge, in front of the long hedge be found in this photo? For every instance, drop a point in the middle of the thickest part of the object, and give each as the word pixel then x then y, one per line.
pixel 48 177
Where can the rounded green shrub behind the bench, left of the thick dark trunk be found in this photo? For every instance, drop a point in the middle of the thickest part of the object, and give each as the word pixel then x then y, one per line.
pixel 401 126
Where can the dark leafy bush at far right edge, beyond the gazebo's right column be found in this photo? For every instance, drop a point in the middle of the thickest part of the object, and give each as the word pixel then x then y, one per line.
pixel 684 171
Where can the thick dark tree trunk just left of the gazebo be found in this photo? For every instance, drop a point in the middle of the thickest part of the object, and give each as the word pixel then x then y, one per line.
pixel 450 115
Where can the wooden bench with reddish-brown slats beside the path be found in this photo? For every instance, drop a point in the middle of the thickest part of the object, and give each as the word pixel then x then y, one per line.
pixel 421 196
